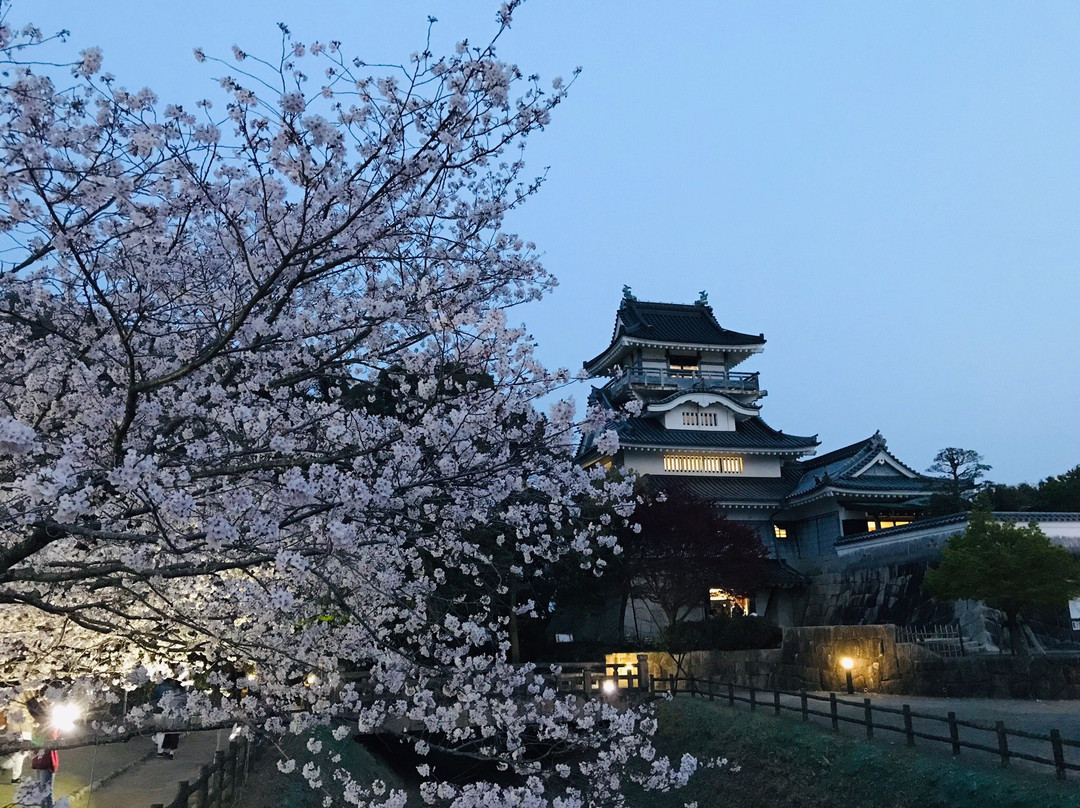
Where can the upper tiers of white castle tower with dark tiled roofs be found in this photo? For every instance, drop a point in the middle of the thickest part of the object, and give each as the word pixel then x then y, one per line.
pixel 699 429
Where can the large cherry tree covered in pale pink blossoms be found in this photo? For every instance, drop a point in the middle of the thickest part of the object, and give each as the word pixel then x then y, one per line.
pixel 264 410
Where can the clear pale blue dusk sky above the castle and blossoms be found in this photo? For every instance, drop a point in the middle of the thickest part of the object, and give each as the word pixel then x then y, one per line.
pixel 890 193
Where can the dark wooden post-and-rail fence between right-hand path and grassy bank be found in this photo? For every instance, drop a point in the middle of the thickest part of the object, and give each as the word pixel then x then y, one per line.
pixel 980 737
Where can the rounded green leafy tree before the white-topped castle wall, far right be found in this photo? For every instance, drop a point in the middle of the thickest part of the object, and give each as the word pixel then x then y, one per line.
pixel 1007 567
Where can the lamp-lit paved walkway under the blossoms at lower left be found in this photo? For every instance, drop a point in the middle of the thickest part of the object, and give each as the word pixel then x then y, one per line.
pixel 127 775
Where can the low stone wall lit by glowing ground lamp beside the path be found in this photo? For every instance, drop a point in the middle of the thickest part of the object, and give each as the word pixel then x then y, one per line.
pixel 811 659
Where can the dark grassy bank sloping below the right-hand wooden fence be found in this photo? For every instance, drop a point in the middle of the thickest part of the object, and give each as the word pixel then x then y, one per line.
pixel 785 763
